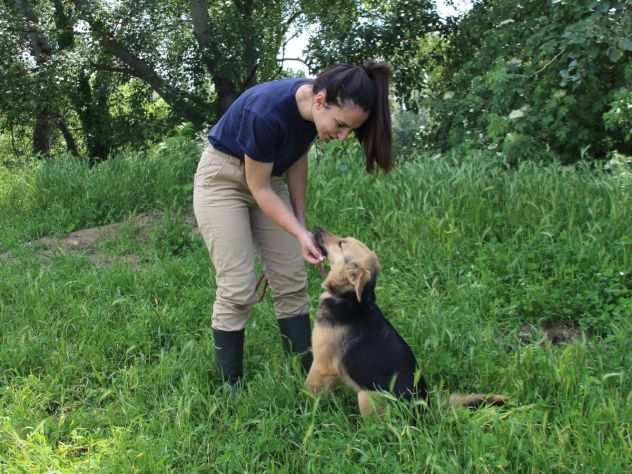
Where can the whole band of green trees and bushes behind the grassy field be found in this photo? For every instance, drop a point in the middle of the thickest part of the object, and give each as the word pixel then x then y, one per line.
pixel 533 80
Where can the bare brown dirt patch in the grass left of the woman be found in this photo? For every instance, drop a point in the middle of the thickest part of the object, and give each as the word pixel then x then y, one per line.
pixel 86 241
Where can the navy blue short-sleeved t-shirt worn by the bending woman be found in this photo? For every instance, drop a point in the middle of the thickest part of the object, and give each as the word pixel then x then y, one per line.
pixel 265 124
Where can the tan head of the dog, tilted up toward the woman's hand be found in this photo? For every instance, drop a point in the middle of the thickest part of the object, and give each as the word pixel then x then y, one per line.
pixel 353 266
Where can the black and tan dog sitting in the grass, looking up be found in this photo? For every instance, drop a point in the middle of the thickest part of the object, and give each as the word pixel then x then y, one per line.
pixel 353 342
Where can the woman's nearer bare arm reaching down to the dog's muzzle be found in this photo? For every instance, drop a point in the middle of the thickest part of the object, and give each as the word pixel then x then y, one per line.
pixel 258 180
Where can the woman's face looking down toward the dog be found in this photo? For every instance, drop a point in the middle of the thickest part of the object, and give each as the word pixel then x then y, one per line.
pixel 334 121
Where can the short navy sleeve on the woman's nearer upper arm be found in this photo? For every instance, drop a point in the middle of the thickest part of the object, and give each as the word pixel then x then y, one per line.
pixel 258 138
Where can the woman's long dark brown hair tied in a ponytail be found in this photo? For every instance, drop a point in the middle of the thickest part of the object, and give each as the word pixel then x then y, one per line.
pixel 367 87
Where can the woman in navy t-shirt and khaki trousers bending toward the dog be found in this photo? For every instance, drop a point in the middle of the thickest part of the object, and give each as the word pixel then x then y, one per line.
pixel 249 193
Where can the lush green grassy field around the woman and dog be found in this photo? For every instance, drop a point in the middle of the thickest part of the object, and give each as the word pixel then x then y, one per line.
pixel 109 367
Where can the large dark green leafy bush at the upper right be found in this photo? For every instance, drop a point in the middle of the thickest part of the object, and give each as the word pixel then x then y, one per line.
pixel 547 74
